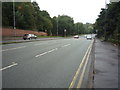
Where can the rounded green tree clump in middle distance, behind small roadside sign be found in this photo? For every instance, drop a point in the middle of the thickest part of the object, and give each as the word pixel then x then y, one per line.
pixel 64 22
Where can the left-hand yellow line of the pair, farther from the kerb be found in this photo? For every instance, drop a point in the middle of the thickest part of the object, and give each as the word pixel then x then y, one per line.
pixel 79 68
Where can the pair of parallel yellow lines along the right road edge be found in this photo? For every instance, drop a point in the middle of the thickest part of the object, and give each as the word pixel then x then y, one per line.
pixel 83 62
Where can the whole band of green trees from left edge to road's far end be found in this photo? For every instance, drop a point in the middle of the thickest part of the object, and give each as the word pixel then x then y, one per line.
pixel 28 16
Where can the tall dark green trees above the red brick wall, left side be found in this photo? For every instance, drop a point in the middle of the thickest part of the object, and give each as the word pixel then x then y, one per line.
pixel 28 16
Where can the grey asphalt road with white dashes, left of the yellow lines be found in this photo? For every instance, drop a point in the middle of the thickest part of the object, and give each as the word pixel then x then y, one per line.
pixel 42 64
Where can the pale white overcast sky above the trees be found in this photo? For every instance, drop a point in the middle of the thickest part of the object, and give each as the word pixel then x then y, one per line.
pixel 80 10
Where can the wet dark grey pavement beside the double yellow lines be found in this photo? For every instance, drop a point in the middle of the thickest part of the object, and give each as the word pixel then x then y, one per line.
pixel 106 65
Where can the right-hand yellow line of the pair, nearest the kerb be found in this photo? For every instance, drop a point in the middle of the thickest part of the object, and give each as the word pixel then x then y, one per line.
pixel 84 68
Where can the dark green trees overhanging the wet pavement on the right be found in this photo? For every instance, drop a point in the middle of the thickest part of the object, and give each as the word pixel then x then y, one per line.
pixel 108 23
